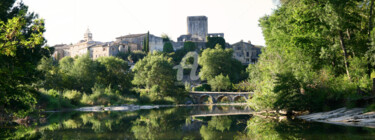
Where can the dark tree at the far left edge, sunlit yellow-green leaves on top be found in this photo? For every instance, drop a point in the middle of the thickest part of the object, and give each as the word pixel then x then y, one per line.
pixel 21 41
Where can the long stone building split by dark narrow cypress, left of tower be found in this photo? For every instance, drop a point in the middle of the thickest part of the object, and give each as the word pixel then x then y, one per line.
pixel 135 42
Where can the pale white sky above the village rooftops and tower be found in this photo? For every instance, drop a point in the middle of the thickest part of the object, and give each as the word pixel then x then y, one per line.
pixel 67 20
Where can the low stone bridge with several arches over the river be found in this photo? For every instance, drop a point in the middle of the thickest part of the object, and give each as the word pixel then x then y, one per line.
pixel 215 97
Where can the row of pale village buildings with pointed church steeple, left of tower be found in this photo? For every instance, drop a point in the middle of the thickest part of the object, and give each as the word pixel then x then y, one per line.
pixel 98 49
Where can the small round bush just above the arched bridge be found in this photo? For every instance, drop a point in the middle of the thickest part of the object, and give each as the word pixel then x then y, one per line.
pixel 220 83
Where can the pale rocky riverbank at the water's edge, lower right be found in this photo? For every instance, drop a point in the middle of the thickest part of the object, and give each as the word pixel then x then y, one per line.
pixel 343 116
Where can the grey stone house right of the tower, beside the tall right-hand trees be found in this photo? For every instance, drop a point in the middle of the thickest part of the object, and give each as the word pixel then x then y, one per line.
pixel 245 52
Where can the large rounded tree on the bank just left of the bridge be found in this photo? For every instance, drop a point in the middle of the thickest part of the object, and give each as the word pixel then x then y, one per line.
pixel 155 72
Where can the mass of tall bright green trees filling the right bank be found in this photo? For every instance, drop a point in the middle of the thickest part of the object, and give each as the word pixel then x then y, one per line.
pixel 314 57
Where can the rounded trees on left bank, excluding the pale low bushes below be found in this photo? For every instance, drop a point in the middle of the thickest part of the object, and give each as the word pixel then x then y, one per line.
pixel 82 73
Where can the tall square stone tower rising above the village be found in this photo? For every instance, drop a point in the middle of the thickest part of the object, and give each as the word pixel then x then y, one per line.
pixel 197 27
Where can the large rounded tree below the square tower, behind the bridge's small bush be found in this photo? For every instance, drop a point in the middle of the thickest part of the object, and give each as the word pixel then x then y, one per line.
pixel 219 61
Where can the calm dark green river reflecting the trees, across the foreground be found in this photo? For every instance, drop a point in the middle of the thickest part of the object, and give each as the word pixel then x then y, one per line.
pixel 176 123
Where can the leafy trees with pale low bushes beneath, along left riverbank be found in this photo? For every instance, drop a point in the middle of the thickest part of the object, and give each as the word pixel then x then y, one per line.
pixel 83 81
